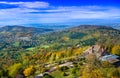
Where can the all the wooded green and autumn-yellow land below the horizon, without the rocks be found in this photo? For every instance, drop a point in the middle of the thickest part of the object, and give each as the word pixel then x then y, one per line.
pixel 28 51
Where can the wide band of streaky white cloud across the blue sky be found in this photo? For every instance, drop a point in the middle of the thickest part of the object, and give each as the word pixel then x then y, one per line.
pixel 27 13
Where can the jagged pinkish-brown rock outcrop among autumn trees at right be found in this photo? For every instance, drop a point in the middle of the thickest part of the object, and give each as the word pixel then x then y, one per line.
pixel 96 50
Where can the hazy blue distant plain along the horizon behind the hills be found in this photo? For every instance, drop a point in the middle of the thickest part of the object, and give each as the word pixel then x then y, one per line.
pixel 63 26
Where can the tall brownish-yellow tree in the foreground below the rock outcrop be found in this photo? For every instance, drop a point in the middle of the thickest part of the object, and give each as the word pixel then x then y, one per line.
pixel 92 68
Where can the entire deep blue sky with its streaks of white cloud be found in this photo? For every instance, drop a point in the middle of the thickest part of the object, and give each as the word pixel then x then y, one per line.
pixel 16 12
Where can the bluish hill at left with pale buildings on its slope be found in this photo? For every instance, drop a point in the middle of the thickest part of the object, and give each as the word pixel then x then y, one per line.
pixel 19 35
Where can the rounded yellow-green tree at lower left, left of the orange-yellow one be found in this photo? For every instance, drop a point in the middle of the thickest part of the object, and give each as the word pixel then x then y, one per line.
pixel 14 70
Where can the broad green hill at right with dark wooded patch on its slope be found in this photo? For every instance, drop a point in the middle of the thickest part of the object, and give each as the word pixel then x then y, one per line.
pixel 83 35
